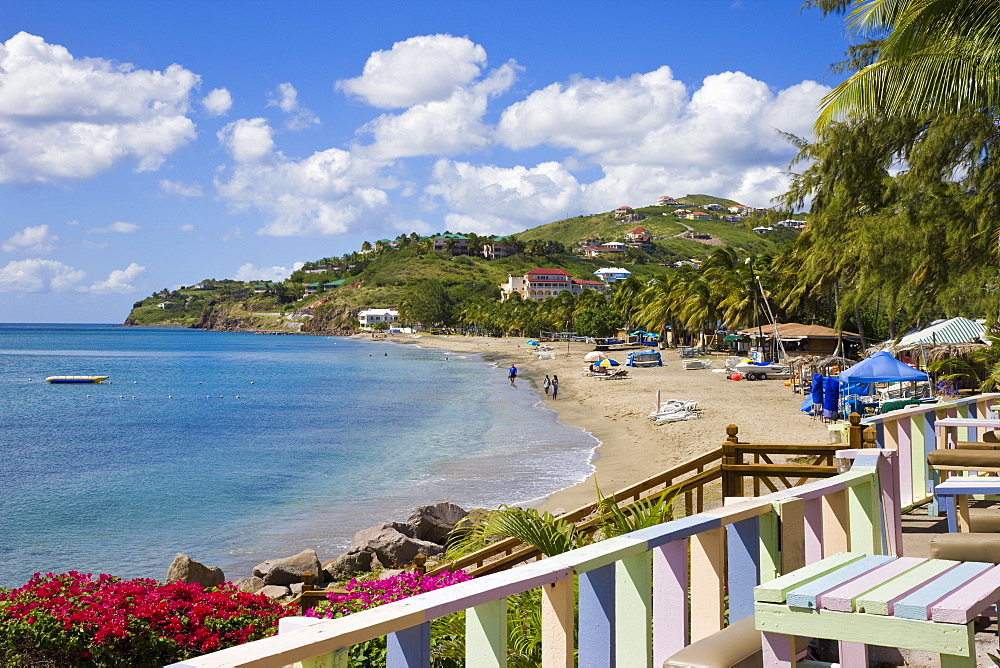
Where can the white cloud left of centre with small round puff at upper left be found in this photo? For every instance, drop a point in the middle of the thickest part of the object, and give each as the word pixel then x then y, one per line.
pixel 319 195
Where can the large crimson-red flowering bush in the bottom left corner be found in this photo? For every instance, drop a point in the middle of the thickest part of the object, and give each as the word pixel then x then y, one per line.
pixel 74 620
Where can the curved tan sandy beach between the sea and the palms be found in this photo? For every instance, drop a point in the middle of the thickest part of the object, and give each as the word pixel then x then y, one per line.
pixel 616 412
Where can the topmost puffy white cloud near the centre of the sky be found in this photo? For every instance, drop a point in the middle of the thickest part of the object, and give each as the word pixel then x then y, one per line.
pixel 416 71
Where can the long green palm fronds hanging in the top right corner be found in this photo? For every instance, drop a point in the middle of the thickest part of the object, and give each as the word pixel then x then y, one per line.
pixel 935 57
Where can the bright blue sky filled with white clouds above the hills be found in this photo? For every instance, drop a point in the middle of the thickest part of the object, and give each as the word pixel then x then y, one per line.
pixel 148 145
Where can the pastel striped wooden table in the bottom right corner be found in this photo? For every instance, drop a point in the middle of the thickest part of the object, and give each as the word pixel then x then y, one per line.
pixel 858 600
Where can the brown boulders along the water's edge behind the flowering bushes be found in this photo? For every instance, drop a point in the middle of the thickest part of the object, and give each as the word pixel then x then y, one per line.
pixel 384 547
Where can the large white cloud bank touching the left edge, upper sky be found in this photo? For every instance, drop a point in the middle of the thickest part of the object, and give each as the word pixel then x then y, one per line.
pixel 68 118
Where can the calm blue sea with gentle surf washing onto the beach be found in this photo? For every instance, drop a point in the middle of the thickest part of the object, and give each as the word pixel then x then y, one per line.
pixel 234 448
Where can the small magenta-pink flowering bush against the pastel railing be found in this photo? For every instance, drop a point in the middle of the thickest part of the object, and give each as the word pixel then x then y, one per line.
pixel 365 594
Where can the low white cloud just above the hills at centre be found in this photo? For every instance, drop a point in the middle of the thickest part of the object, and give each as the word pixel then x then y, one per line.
pixel 487 199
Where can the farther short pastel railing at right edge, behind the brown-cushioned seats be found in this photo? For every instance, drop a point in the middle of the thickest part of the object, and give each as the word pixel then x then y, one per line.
pixel 910 432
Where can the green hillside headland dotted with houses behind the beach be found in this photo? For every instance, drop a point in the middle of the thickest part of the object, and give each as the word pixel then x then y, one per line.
pixel 325 293
